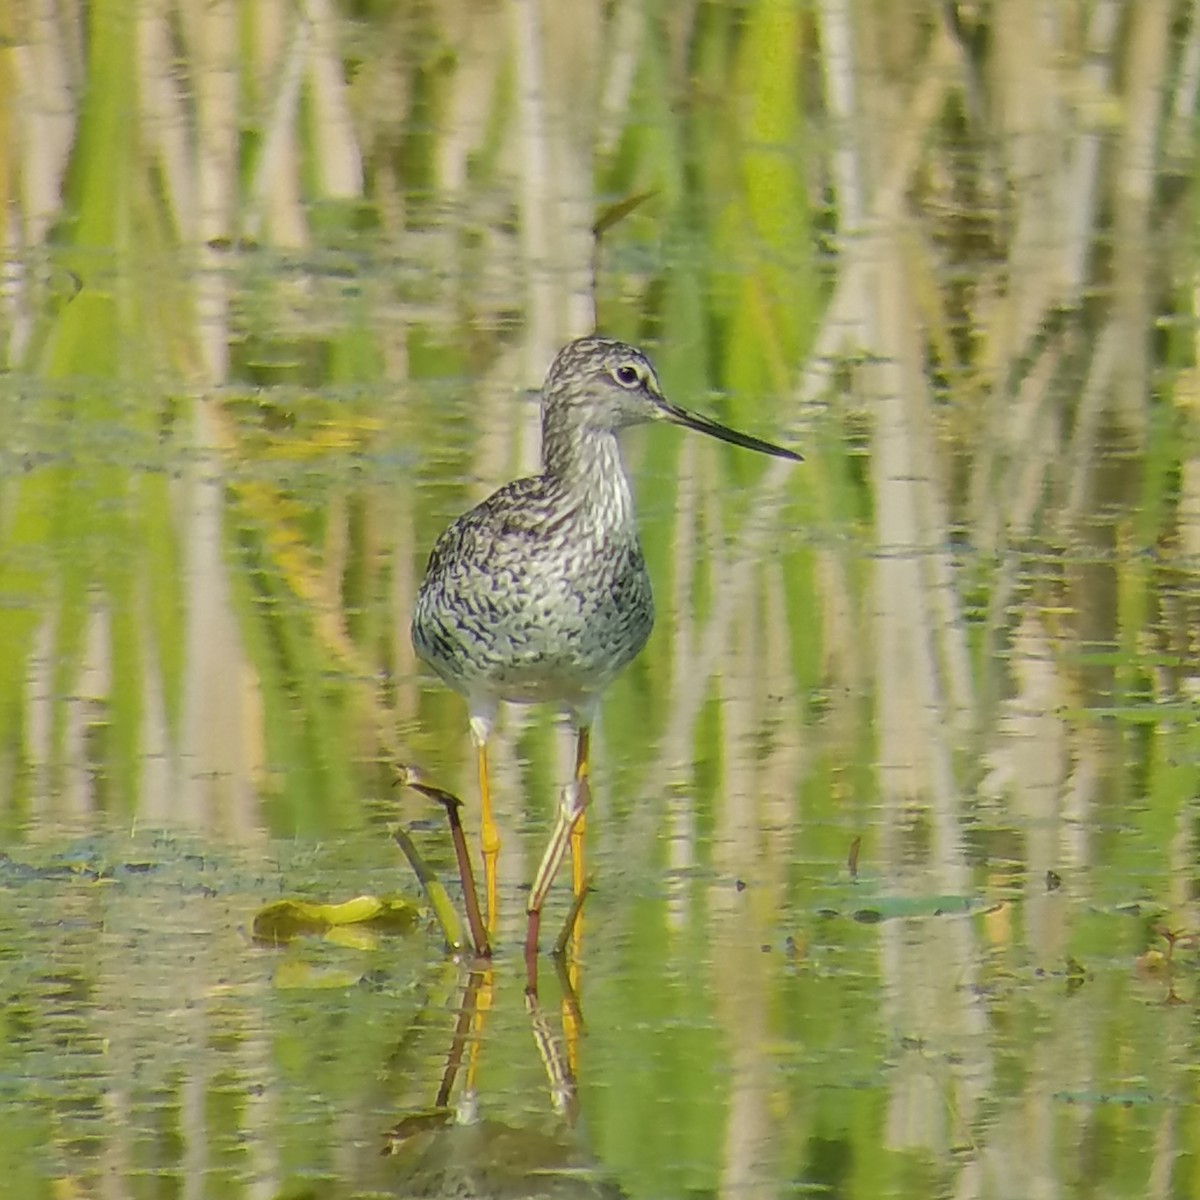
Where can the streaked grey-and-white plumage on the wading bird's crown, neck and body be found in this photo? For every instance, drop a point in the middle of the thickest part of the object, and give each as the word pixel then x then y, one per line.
pixel 541 593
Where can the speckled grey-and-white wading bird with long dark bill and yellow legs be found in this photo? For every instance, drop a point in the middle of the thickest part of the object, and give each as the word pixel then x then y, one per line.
pixel 541 593
